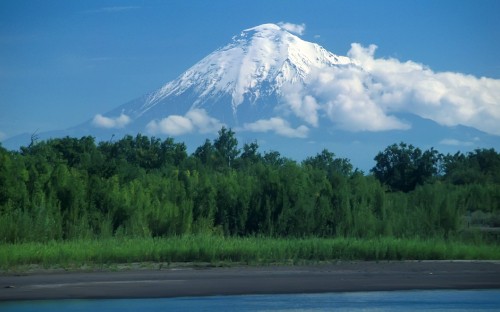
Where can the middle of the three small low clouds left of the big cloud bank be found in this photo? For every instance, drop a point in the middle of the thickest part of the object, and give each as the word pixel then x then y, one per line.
pixel 194 120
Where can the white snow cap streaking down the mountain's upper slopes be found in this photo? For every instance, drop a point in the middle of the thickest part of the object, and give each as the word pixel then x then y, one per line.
pixel 266 55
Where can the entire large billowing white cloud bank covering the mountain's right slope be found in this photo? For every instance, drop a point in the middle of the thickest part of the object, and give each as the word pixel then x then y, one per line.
pixel 368 94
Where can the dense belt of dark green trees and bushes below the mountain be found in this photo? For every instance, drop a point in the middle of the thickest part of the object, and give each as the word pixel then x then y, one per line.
pixel 71 188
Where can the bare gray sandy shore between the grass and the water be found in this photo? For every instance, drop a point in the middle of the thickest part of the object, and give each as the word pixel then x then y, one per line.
pixel 339 277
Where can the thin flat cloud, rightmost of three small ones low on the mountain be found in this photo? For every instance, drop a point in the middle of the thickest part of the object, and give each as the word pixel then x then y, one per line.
pixel 279 126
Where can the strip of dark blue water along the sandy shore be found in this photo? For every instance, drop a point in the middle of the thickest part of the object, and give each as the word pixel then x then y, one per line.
pixel 435 300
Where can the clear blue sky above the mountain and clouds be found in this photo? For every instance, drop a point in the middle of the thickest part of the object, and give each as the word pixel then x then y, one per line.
pixel 62 62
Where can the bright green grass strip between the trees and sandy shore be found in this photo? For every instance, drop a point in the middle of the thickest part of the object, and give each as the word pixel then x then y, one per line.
pixel 215 249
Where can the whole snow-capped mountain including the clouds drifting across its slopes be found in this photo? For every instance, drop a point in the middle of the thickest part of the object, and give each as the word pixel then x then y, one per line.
pixel 295 97
